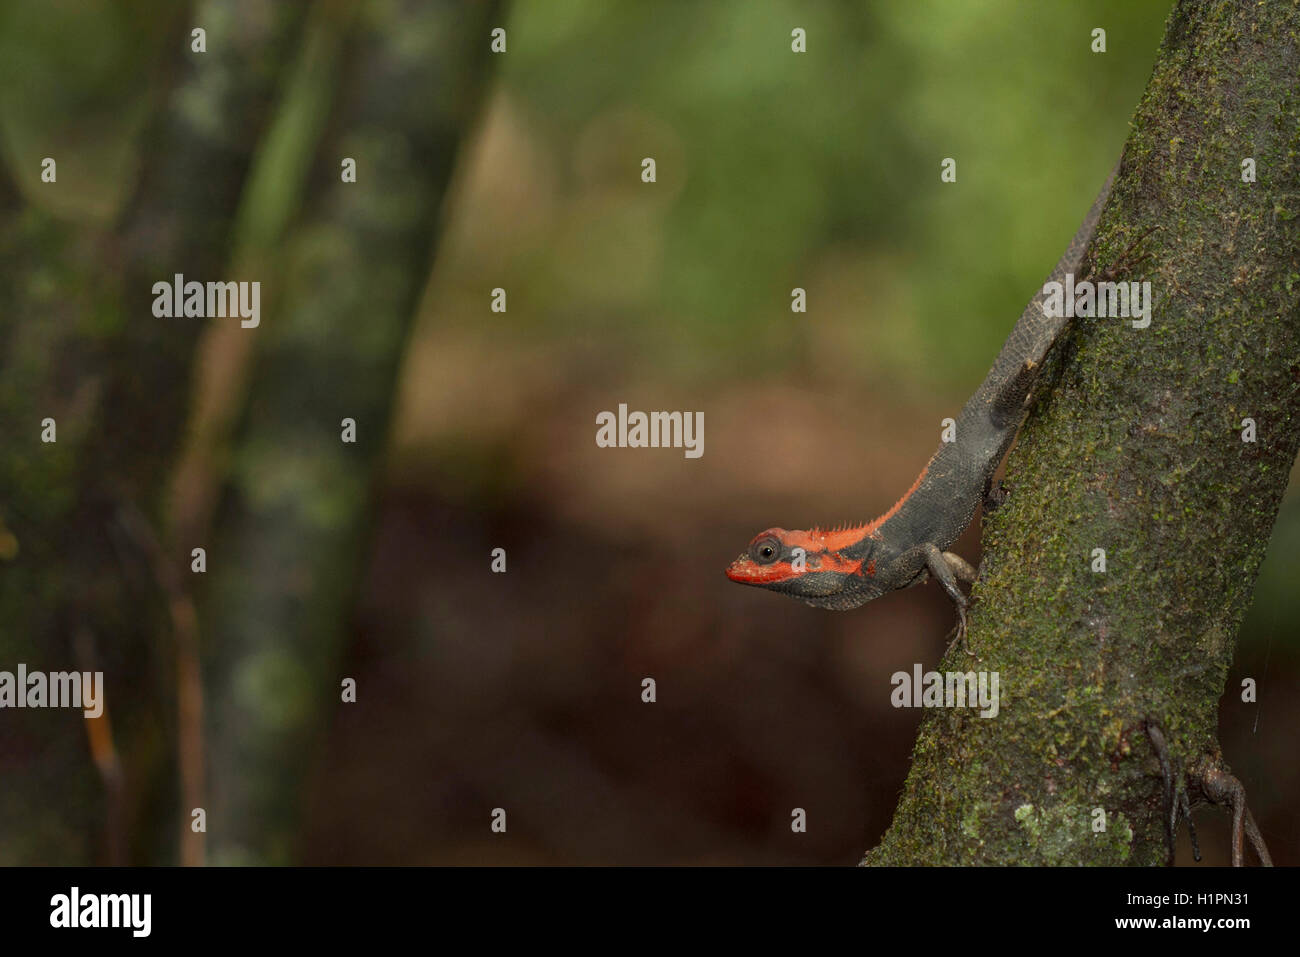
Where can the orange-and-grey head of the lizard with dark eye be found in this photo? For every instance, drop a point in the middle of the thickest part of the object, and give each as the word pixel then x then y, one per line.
pixel 813 565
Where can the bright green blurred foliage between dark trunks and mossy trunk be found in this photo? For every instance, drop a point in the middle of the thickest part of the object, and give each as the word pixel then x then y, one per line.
pixel 779 163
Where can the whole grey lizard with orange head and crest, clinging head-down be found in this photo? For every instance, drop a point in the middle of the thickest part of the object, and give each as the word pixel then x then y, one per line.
pixel 846 568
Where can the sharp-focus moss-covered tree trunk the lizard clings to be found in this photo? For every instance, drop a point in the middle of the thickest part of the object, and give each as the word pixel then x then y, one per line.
pixel 1137 448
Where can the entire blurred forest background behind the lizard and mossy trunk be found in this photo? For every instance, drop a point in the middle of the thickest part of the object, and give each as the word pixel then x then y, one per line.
pixel 521 691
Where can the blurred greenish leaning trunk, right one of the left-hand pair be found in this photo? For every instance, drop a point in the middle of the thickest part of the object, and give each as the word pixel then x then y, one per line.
pixel 288 535
